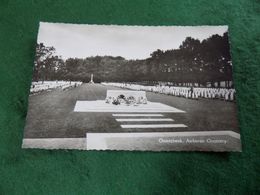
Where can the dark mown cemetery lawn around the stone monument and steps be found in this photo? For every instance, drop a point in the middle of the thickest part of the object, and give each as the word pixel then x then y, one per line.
pixel 50 114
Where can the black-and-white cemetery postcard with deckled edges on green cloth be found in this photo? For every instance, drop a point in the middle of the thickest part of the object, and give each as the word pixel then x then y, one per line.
pixel 109 87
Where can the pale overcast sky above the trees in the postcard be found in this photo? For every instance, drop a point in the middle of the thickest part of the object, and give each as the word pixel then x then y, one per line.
pixel 130 42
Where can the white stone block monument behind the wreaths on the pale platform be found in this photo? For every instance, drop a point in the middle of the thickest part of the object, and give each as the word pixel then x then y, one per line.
pixel 126 93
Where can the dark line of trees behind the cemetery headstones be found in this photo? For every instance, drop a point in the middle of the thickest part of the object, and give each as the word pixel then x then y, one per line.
pixel 194 61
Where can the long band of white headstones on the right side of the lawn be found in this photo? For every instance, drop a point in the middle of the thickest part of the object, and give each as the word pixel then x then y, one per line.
pixel 187 92
